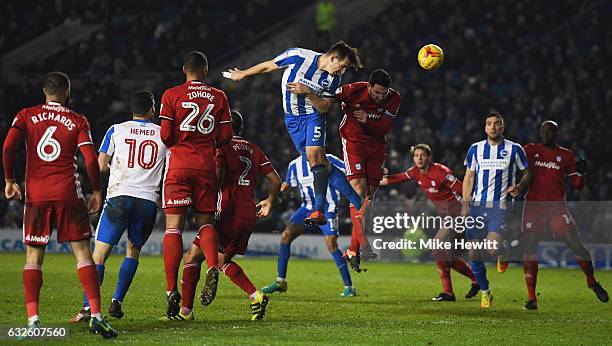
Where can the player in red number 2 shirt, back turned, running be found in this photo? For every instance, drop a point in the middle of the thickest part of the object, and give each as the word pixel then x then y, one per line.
pixel 240 162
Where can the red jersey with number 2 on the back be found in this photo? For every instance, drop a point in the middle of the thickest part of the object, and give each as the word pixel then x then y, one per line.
pixel 242 162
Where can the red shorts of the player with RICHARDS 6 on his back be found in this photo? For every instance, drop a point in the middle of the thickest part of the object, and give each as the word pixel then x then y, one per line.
pixel 69 216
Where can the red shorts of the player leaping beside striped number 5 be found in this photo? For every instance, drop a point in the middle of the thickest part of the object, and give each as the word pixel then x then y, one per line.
pixel 364 161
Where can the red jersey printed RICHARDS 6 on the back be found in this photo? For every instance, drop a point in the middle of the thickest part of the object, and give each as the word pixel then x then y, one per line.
pixel 52 134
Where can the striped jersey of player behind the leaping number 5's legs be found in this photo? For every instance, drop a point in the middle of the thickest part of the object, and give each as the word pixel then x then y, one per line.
pixel 299 175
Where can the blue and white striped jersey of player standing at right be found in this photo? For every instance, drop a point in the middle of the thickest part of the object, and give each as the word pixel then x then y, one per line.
pixel 496 169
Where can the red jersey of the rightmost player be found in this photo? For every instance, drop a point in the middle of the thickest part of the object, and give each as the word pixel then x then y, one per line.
pixel 549 167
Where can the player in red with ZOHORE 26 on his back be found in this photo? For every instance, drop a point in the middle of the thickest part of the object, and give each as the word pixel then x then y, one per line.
pixel 195 121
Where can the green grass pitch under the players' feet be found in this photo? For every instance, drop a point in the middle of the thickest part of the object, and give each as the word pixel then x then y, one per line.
pixel 393 307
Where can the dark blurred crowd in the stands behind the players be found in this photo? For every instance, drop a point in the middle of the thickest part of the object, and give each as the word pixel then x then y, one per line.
pixel 553 57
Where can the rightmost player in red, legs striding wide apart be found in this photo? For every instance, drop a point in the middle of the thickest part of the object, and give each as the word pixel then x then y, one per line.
pixel 545 208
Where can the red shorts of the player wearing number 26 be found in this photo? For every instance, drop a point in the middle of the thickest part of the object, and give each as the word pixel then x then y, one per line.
pixel 185 187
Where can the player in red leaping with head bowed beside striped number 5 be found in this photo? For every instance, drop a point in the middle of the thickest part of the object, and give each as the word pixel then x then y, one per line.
pixel 369 110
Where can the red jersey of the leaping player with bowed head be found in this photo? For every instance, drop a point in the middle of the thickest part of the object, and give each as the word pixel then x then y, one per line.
pixel 355 96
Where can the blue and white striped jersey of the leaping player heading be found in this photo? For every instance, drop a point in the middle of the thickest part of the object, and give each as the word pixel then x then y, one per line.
pixel 301 66
